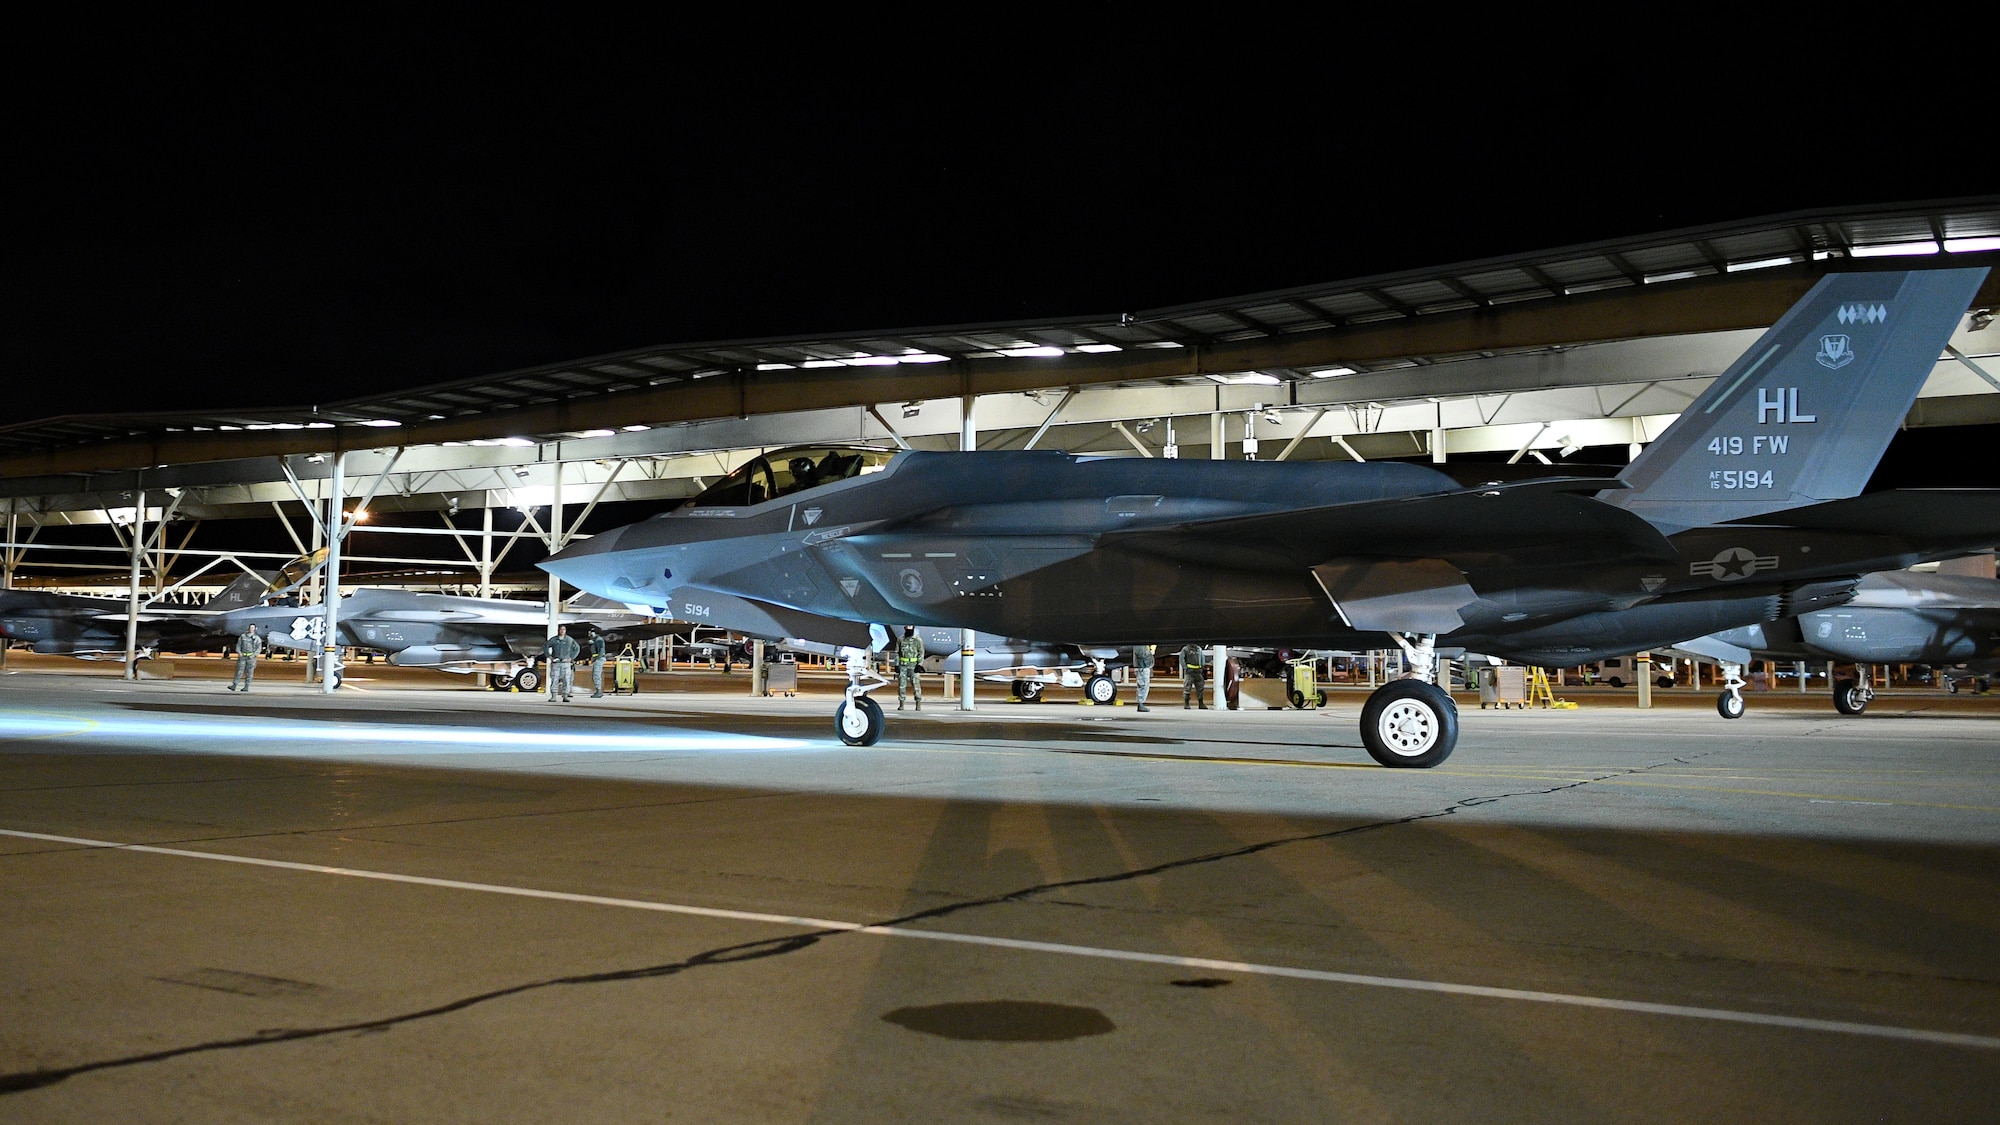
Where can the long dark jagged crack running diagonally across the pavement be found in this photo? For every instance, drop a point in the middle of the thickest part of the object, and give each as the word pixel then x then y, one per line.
pixel 21 1082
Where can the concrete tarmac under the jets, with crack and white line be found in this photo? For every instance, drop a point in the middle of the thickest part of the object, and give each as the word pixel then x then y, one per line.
pixel 427 904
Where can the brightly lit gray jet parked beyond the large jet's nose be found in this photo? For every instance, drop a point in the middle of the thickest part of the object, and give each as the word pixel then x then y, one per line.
pixel 441 632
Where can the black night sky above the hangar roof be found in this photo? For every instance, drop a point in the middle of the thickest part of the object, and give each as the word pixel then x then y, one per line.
pixel 199 219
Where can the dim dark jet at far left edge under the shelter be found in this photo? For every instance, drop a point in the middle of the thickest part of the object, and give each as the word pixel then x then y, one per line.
pixel 75 626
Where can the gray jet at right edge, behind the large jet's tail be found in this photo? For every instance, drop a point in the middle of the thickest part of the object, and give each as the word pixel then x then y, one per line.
pixel 1901 618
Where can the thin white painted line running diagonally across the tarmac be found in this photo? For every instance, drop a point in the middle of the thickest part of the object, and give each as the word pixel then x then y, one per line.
pixel 1247 968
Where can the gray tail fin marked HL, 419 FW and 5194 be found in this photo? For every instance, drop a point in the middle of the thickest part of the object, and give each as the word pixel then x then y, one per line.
pixel 1807 413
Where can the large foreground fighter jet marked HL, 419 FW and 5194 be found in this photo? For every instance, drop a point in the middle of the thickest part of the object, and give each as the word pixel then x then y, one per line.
pixel 1751 503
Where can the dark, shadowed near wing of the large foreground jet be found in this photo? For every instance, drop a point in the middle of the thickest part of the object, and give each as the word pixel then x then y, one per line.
pixel 1509 523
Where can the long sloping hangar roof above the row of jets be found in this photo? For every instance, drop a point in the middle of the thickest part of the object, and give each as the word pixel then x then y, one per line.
pixel 1619 289
